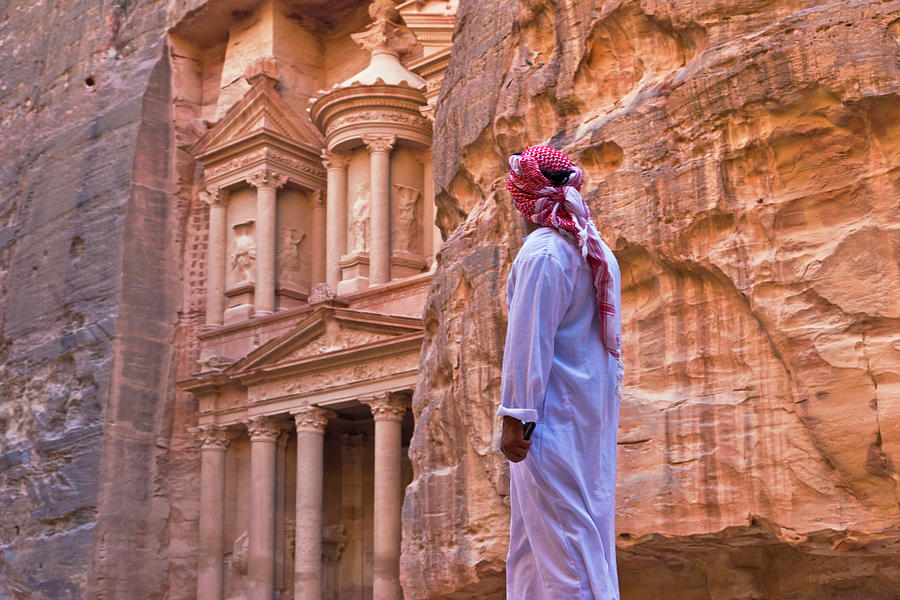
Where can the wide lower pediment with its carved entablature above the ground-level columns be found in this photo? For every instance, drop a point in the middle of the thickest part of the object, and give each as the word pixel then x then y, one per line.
pixel 335 354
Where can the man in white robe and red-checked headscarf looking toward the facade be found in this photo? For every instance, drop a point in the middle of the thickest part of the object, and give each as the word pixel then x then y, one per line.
pixel 561 370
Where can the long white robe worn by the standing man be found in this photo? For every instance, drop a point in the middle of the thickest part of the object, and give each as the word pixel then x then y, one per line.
pixel 557 372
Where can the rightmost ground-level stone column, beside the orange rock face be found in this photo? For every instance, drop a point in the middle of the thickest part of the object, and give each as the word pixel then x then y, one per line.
pixel 387 410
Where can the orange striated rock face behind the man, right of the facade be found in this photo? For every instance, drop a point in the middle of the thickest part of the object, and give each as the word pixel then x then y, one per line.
pixel 742 160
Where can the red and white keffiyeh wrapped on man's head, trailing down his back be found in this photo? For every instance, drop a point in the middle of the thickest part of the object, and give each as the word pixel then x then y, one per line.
pixel 563 208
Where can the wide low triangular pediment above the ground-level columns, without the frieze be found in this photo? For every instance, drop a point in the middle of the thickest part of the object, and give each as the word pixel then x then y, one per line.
pixel 330 332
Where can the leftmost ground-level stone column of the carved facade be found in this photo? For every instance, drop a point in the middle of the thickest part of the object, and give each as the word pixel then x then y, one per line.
pixel 210 560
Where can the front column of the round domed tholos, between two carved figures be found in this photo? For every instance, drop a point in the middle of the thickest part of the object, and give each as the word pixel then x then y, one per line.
pixel 380 216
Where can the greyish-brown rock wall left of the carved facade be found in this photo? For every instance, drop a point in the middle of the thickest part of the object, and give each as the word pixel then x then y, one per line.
pixel 89 294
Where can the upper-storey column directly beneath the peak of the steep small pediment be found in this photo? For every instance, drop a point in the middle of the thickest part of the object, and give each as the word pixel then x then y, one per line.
pixel 266 183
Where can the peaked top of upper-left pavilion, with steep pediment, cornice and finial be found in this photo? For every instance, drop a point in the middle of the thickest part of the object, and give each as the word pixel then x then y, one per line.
pixel 261 132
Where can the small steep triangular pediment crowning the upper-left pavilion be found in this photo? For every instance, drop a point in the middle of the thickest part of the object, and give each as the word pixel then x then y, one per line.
pixel 262 110
